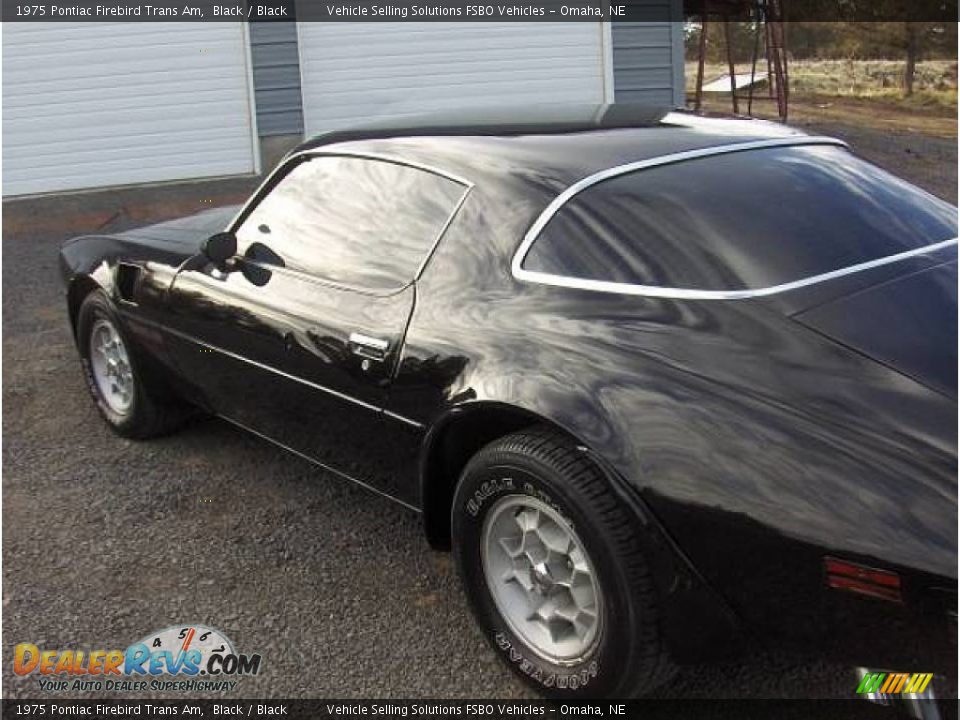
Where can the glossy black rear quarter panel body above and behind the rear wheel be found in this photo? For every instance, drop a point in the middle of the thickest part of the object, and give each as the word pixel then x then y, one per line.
pixel 760 446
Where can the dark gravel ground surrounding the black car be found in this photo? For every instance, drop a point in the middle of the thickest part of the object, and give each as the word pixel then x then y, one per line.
pixel 105 540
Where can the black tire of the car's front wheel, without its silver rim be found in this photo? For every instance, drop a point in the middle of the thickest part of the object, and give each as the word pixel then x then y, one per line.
pixel 147 416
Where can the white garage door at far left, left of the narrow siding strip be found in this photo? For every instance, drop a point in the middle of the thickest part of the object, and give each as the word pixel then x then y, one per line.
pixel 94 104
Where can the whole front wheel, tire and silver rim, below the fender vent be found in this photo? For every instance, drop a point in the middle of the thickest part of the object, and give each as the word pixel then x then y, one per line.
pixel 129 402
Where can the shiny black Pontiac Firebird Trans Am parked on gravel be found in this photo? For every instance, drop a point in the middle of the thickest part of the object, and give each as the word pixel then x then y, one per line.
pixel 665 384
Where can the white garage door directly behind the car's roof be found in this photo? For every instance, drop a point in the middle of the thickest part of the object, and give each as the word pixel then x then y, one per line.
pixel 358 71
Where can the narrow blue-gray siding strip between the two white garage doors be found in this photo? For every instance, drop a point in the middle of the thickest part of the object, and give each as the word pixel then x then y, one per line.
pixel 276 78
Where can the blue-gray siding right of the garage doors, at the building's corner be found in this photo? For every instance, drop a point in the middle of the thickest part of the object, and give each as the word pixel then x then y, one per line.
pixel 648 56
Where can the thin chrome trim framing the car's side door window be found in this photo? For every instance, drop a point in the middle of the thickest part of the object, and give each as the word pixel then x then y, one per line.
pixel 278 172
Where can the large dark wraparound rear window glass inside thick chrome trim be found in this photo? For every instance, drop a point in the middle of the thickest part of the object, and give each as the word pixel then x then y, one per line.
pixel 739 221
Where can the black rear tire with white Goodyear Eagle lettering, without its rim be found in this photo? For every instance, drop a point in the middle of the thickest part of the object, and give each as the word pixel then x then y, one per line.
pixel 627 656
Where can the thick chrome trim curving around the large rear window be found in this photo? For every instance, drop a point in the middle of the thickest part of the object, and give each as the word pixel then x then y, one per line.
pixel 687 293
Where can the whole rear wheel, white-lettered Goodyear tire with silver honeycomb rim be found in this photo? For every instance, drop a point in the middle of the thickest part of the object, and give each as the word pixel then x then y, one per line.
pixel 550 560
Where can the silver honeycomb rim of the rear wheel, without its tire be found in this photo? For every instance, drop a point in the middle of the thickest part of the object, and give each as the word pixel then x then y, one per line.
pixel 541 579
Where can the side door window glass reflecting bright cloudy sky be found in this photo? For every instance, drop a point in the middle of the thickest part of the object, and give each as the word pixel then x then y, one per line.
pixel 360 222
